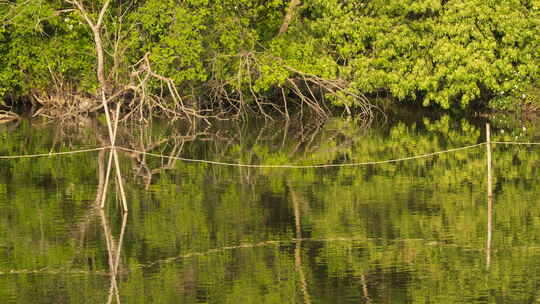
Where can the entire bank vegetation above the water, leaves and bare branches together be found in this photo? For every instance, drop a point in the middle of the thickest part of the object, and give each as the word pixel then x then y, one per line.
pixel 226 59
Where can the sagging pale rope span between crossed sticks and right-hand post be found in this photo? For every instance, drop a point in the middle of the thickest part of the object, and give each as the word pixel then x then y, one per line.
pixel 302 166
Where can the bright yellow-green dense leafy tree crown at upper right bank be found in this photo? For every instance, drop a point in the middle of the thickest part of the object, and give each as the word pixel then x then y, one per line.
pixel 446 52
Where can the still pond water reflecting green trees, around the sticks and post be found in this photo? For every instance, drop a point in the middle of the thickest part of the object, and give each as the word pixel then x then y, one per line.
pixel 407 232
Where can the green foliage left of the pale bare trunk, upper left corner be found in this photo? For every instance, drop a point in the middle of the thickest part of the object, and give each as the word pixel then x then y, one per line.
pixel 40 48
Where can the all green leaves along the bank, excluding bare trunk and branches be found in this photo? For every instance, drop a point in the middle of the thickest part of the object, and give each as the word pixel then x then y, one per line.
pixel 449 53
